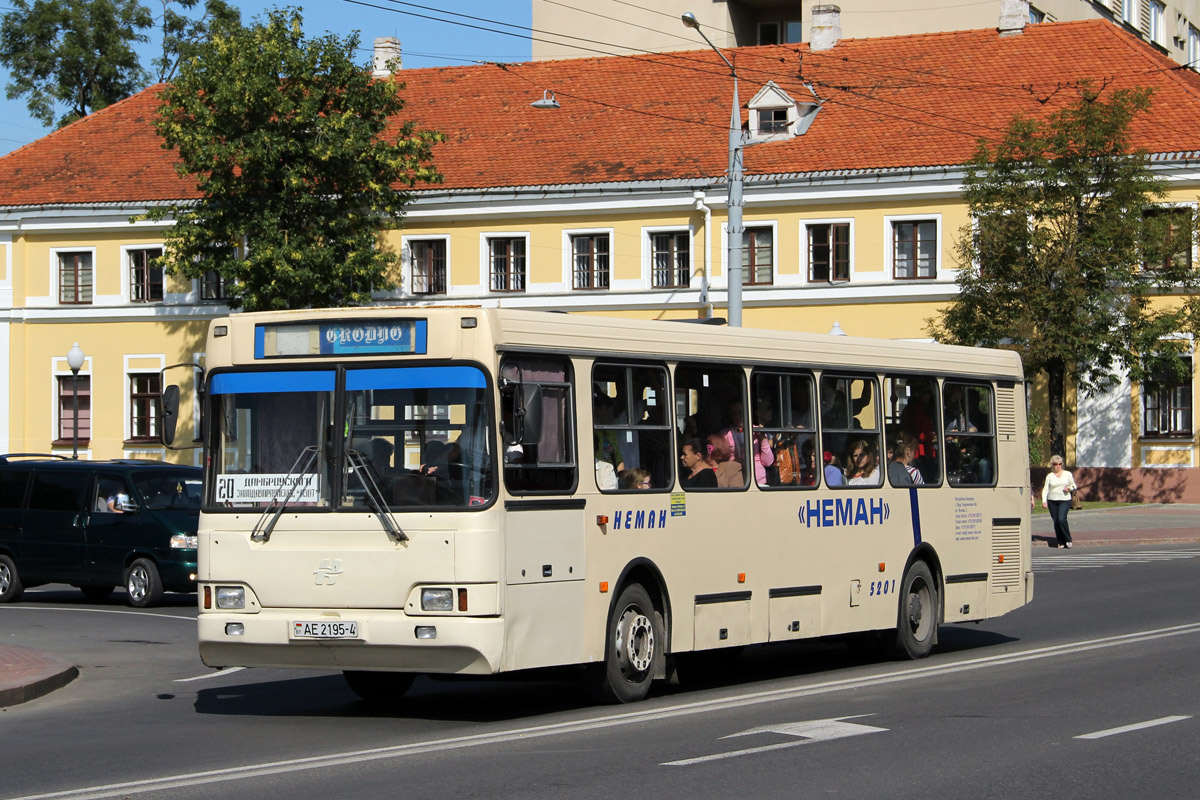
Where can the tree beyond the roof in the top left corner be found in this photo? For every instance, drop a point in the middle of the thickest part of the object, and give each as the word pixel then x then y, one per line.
pixel 77 53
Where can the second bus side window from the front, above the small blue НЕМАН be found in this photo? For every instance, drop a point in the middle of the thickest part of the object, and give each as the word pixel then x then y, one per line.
pixel 632 428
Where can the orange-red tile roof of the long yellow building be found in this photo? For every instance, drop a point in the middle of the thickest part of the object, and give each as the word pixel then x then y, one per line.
pixel 891 103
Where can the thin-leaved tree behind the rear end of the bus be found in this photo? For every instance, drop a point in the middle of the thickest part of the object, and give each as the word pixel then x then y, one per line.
pixel 1069 258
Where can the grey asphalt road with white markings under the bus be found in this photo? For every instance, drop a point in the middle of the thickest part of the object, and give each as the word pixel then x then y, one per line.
pixel 1090 693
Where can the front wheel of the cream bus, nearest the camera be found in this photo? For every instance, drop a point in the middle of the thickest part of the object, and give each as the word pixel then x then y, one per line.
pixel 634 645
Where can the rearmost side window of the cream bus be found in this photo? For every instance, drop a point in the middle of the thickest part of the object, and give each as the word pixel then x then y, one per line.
pixel 970 436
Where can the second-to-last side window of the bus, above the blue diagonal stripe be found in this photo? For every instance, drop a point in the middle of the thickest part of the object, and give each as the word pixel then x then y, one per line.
pixel 911 418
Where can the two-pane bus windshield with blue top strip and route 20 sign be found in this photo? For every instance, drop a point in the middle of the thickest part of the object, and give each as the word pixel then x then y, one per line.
pixel 405 437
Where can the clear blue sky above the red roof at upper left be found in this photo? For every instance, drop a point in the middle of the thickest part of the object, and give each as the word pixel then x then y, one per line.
pixel 429 32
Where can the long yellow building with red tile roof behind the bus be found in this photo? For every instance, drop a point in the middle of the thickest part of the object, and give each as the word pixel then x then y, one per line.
pixel 613 200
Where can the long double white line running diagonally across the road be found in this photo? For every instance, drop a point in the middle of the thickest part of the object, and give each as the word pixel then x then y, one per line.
pixel 653 714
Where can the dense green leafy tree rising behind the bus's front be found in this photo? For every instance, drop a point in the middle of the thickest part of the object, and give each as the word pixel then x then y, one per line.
pixel 286 140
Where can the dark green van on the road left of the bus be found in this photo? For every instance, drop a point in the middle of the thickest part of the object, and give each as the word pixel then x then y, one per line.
pixel 97 525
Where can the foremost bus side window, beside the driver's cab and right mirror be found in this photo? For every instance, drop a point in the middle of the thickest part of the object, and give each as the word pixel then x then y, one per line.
pixel 547 466
